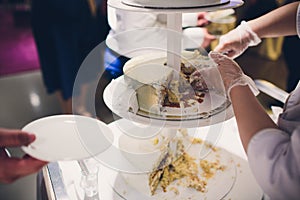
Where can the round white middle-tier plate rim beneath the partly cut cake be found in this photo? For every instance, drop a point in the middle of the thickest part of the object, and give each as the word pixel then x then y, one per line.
pixel 217 114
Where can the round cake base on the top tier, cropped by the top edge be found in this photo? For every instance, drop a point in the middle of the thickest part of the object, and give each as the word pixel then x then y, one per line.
pixel 169 4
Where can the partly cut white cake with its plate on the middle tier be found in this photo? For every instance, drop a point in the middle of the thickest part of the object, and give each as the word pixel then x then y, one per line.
pixel 150 93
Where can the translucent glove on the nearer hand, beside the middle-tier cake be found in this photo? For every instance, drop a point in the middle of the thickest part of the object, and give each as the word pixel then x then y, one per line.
pixel 231 73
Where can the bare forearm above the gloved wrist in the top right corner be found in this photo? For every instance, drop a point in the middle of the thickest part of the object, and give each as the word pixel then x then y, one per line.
pixel 279 22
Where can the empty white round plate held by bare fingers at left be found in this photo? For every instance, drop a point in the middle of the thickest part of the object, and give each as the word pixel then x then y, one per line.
pixel 67 137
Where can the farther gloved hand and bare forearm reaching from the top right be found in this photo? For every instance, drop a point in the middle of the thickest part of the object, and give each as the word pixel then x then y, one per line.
pixel 280 22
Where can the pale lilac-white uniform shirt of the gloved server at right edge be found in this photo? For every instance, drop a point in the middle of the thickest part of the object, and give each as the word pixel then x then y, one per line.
pixel 274 155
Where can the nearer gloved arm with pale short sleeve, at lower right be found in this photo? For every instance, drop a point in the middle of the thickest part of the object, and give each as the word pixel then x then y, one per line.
pixel 273 151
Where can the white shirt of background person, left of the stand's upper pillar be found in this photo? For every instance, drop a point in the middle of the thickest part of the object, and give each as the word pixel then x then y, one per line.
pixel 132 31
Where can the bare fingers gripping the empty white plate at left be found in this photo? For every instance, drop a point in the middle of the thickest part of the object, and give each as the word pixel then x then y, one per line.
pixel 13 168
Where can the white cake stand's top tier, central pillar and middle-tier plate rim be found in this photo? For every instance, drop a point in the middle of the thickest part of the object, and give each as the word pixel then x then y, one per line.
pixel 174 11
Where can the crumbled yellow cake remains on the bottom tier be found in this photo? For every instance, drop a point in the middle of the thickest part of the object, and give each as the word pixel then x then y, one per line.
pixel 188 171
